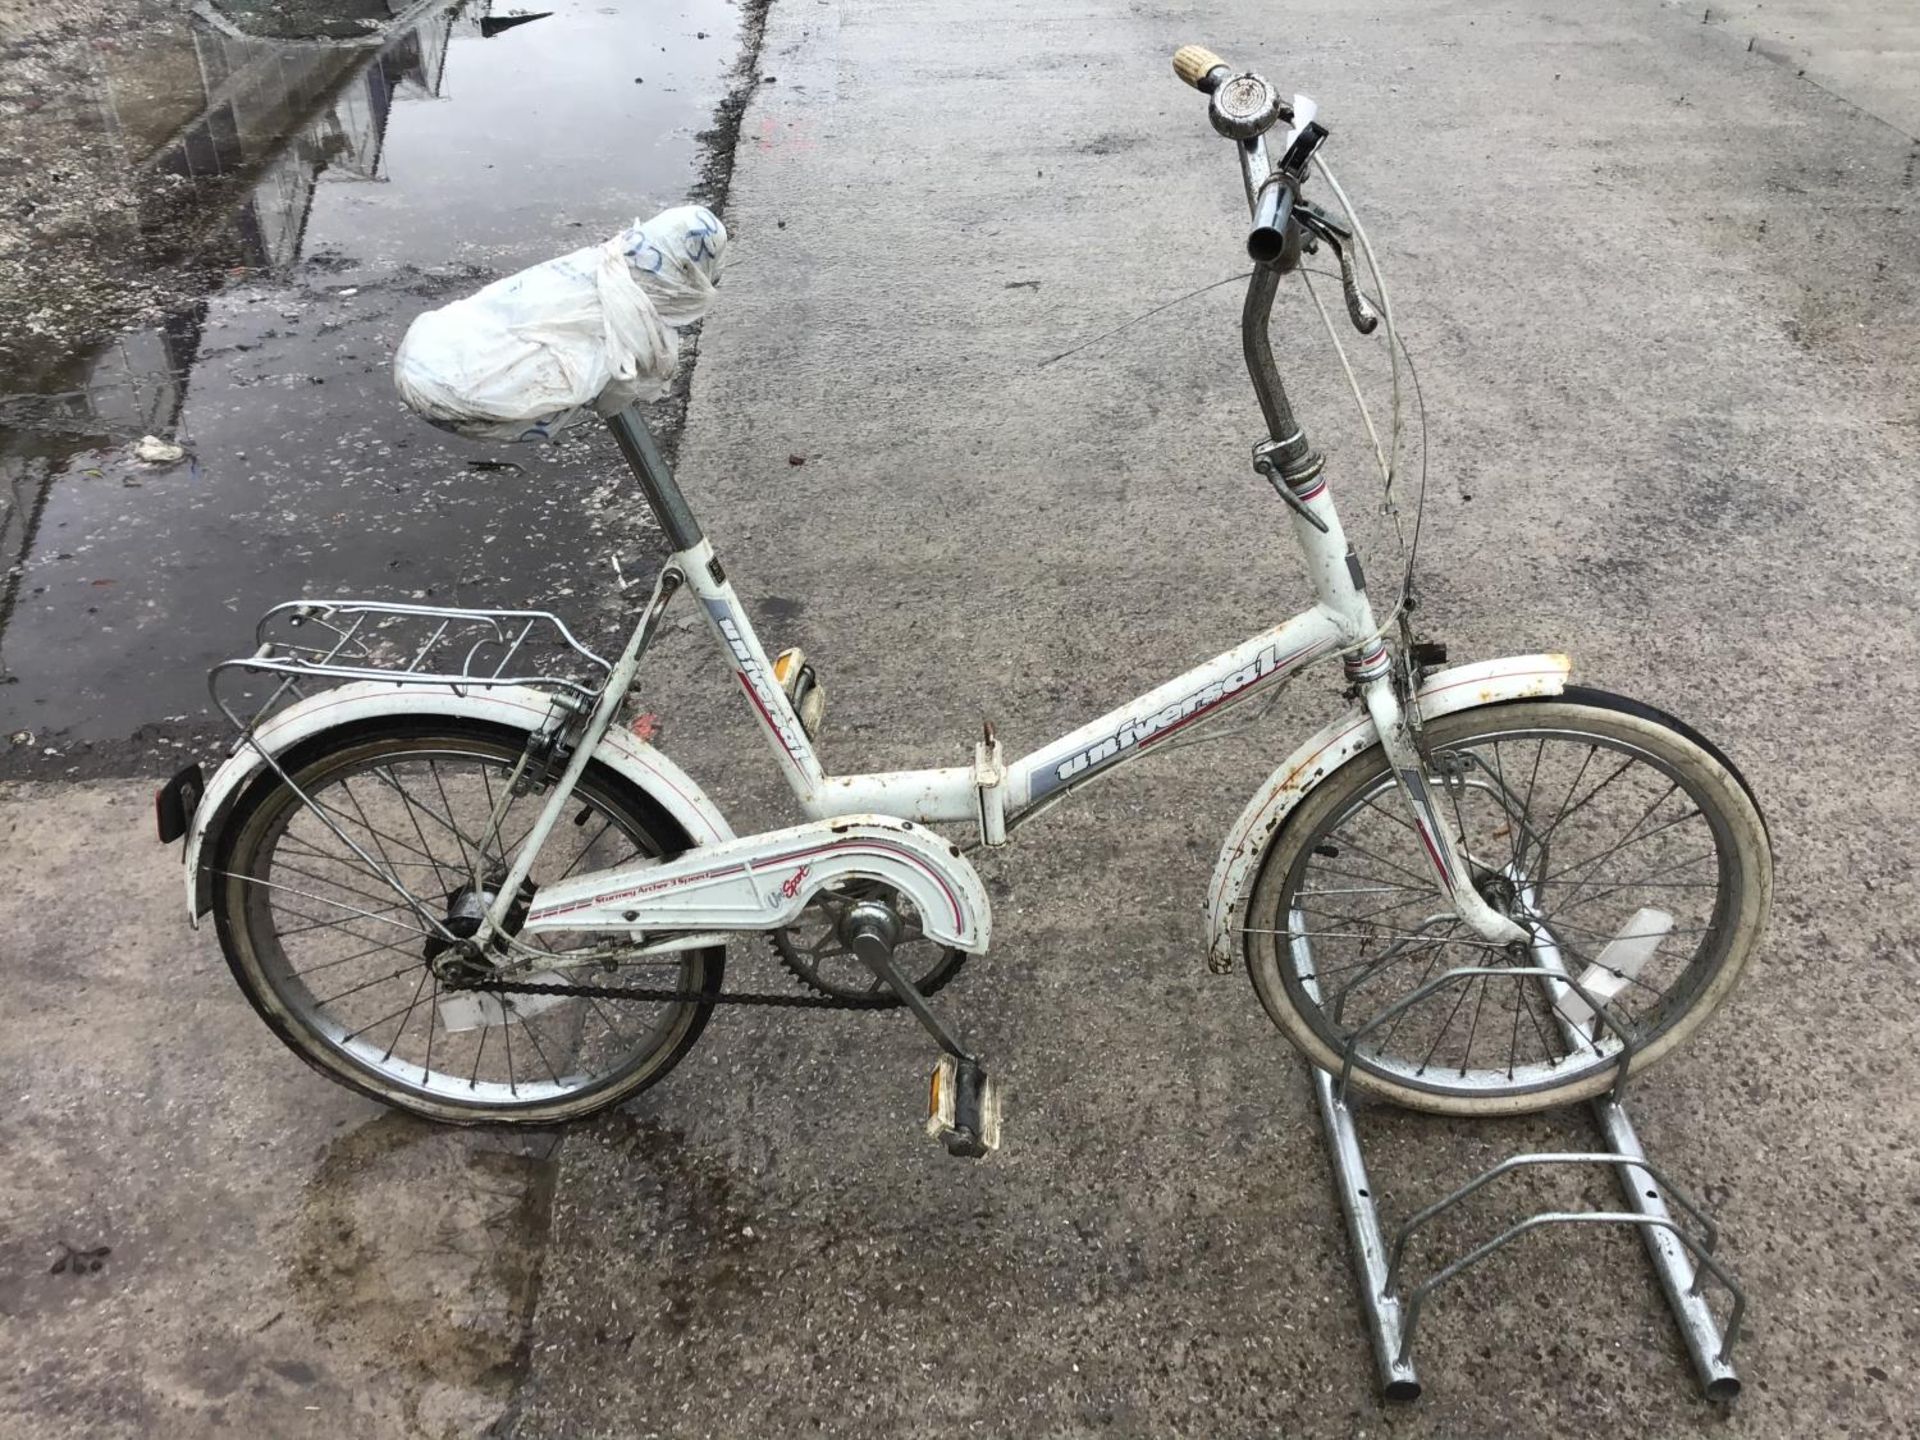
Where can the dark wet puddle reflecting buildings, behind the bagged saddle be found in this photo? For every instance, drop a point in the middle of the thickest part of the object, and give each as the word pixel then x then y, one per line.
pixel 337 189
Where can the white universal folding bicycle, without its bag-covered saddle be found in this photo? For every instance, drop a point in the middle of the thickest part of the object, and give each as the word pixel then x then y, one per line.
pixel 473 892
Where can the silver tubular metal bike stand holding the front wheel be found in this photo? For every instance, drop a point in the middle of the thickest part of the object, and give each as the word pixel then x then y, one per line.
pixel 1681 1257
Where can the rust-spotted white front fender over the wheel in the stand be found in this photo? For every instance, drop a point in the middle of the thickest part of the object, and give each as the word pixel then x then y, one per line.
pixel 1460 688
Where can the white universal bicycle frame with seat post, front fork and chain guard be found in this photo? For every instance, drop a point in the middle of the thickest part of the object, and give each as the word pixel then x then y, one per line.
pixel 731 890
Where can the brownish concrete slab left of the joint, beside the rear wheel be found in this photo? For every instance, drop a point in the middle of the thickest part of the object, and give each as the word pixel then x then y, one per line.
pixel 191 1245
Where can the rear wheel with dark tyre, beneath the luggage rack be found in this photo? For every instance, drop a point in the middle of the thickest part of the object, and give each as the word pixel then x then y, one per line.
pixel 337 963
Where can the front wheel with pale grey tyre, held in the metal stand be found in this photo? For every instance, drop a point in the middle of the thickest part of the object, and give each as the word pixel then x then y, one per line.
pixel 1618 838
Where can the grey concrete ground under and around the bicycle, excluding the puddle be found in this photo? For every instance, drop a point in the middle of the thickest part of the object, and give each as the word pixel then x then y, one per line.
pixel 1664 297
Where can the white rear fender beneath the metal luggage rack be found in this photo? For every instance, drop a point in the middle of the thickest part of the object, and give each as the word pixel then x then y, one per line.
pixel 510 706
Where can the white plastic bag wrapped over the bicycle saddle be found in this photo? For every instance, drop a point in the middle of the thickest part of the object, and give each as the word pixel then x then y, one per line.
pixel 531 354
